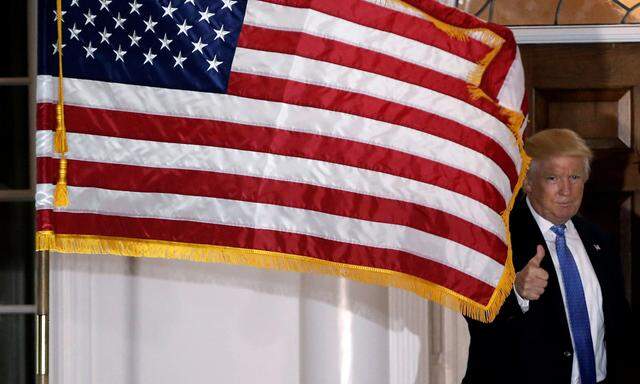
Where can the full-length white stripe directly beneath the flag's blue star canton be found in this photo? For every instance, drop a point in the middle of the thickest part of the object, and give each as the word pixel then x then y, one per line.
pixel 179 103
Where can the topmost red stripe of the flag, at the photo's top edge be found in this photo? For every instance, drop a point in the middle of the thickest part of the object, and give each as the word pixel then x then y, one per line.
pixel 397 23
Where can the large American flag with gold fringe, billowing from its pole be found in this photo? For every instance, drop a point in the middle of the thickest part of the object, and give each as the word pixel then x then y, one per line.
pixel 377 140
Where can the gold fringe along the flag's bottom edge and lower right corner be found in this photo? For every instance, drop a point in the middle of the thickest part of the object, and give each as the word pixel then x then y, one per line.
pixel 47 240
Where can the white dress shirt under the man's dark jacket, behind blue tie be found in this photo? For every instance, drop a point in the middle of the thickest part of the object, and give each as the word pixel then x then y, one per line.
pixel 590 284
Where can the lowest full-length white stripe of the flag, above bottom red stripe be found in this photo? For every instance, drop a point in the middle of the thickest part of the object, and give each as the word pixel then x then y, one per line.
pixel 279 218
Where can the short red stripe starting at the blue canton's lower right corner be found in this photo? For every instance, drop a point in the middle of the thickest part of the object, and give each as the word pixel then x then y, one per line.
pixel 292 92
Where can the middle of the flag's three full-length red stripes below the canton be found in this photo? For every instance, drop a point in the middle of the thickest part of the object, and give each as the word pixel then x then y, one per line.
pixel 284 193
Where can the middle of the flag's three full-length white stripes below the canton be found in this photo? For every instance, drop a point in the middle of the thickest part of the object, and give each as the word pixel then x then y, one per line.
pixel 113 150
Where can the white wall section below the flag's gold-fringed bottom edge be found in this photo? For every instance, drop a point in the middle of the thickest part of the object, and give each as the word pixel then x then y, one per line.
pixel 126 320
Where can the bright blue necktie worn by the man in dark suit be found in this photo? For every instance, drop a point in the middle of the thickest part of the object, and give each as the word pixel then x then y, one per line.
pixel 577 307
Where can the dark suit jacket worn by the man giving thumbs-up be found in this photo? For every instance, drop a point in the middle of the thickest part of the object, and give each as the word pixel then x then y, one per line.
pixel 535 347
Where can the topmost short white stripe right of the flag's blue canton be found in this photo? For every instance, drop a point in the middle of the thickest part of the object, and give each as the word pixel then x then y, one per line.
pixel 273 16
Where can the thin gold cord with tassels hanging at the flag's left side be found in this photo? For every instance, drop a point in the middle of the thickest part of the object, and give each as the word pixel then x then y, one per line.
pixel 61 197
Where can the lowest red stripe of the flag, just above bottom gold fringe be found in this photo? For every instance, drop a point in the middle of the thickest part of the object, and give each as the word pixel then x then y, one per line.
pixel 274 241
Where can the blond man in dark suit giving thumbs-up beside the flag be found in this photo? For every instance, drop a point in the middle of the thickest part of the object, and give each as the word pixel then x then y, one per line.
pixel 566 317
